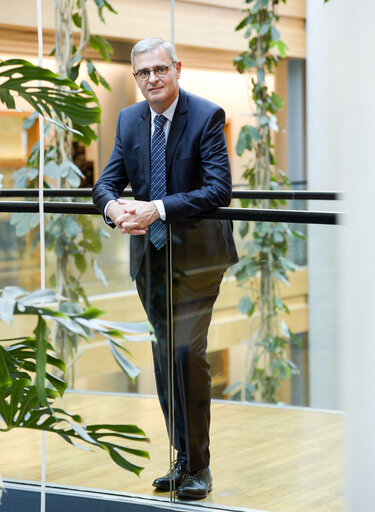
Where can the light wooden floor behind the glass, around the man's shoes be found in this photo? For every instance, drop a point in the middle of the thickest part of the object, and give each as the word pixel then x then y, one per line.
pixel 265 458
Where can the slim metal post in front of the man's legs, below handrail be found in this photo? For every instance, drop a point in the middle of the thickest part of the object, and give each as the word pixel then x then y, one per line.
pixel 170 351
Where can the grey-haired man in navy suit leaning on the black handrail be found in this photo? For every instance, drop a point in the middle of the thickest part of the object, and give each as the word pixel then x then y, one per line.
pixel 171 149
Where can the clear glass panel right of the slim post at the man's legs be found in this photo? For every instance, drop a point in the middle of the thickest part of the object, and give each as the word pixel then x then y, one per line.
pixel 266 451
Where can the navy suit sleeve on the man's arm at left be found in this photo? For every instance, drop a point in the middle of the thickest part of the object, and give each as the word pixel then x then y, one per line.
pixel 113 179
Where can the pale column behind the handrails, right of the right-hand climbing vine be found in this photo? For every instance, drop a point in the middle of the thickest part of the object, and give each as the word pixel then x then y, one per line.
pixel 323 173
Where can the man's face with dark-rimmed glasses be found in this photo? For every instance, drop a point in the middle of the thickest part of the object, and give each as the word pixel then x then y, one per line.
pixel 160 92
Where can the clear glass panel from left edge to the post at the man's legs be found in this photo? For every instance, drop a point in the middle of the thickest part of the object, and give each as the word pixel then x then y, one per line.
pixel 100 391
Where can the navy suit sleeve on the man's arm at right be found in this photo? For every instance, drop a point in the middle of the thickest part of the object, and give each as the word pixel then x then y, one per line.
pixel 213 164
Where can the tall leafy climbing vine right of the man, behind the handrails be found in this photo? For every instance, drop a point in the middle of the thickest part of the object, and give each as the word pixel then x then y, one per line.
pixel 265 264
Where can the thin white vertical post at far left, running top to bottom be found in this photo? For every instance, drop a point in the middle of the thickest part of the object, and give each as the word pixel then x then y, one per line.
pixel 41 231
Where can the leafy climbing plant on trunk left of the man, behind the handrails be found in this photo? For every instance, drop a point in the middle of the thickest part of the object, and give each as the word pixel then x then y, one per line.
pixel 75 240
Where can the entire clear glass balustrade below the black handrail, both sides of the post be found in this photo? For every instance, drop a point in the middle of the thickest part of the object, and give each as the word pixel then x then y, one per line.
pixel 276 428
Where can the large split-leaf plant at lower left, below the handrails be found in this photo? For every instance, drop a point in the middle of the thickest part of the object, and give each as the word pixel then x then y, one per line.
pixel 29 388
